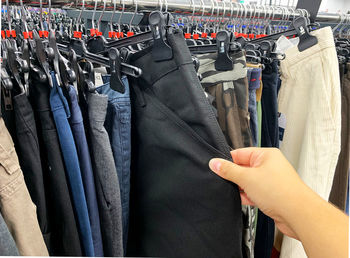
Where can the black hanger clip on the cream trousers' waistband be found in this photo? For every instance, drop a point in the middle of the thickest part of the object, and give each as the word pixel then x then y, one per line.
pixel 306 39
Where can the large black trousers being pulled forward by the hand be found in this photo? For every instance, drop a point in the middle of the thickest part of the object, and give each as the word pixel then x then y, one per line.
pixel 179 208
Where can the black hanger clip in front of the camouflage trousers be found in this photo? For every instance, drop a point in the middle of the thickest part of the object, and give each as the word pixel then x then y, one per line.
pixel 223 62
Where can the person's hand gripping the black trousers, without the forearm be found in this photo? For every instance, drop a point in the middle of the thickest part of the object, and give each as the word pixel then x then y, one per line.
pixel 267 180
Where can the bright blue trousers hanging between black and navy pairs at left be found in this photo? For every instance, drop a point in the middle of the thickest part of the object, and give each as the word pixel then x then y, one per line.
pixel 61 113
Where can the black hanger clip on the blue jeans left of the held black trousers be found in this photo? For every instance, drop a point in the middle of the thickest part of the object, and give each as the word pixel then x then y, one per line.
pixel 115 66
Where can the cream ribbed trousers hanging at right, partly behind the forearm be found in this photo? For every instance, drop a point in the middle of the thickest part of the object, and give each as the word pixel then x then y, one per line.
pixel 310 101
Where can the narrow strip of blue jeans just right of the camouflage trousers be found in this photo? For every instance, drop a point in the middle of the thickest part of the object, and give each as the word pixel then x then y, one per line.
pixel 254 84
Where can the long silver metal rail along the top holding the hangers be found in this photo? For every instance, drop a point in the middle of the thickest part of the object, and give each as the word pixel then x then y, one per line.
pixel 214 8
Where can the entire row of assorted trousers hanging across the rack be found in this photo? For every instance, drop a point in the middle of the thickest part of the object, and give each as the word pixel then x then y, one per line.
pixel 114 174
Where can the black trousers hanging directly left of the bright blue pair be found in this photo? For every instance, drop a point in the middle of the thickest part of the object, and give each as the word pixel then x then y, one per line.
pixel 64 232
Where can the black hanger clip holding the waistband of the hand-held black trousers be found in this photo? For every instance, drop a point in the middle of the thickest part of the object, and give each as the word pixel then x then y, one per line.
pixel 161 51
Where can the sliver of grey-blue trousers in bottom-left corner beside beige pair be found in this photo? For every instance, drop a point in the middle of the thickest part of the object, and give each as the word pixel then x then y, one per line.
pixel 7 244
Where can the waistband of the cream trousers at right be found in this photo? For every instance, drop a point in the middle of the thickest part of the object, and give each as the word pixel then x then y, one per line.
pixel 325 40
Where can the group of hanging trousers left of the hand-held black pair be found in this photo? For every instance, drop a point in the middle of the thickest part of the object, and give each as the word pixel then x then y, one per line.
pixel 70 167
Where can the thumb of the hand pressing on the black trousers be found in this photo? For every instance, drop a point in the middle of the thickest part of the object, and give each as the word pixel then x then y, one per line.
pixel 227 170
